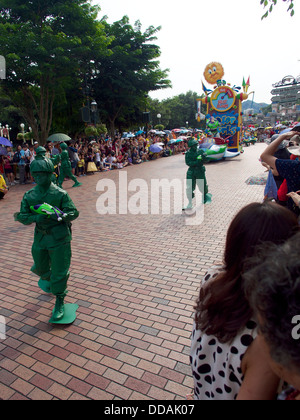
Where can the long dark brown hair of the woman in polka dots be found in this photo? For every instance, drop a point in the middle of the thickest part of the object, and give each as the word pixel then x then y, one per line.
pixel 222 309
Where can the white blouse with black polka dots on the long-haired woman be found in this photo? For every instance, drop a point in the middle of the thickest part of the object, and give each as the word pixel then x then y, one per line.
pixel 216 367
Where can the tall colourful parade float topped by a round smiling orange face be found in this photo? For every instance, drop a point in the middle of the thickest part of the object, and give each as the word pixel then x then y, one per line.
pixel 224 114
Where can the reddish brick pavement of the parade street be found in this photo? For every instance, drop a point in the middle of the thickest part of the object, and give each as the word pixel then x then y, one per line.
pixel 135 279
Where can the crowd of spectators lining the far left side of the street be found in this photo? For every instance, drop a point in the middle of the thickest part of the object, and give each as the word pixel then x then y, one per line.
pixel 88 156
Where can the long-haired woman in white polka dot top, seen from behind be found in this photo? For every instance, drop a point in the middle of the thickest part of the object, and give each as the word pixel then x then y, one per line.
pixel 226 362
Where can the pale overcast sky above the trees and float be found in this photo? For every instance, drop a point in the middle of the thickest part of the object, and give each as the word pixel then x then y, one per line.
pixel 197 32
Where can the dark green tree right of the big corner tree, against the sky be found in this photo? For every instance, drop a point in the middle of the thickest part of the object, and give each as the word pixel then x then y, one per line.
pixel 124 78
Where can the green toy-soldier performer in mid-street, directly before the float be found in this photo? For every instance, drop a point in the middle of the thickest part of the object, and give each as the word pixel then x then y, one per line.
pixel 195 159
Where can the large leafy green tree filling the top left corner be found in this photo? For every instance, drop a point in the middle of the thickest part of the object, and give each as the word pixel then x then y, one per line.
pixel 46 44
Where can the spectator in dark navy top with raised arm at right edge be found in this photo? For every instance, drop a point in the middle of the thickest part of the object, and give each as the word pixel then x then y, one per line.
pixel 287 169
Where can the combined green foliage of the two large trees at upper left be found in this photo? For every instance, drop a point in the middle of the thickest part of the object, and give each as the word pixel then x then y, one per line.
pixel 52 46
